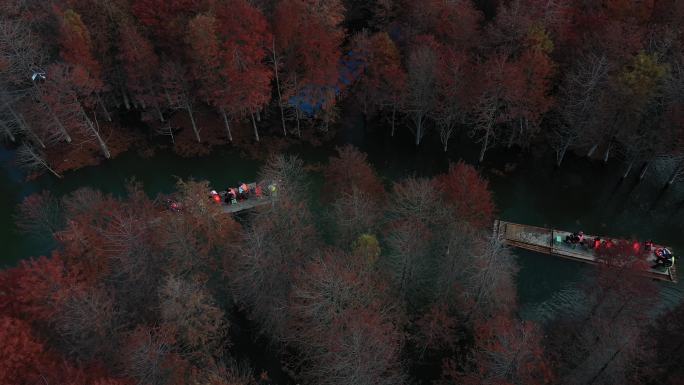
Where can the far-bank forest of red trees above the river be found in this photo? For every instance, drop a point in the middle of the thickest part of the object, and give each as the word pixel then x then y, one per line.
pixel 84 80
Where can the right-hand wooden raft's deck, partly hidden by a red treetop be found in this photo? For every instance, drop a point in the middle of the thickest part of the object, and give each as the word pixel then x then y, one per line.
pixel 546 241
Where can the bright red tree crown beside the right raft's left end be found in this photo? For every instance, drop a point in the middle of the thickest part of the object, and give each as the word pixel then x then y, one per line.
pixel 468 193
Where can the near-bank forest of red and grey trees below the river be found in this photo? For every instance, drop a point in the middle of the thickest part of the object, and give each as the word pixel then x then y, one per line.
pixel 388 285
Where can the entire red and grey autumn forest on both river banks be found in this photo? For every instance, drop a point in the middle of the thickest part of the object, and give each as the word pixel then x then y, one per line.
pixel 371 281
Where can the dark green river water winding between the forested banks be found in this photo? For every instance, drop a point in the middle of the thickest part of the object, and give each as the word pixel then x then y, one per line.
pixel 582 195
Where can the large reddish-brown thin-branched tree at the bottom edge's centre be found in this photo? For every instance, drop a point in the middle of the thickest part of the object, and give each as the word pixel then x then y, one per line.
pixel 344 324
